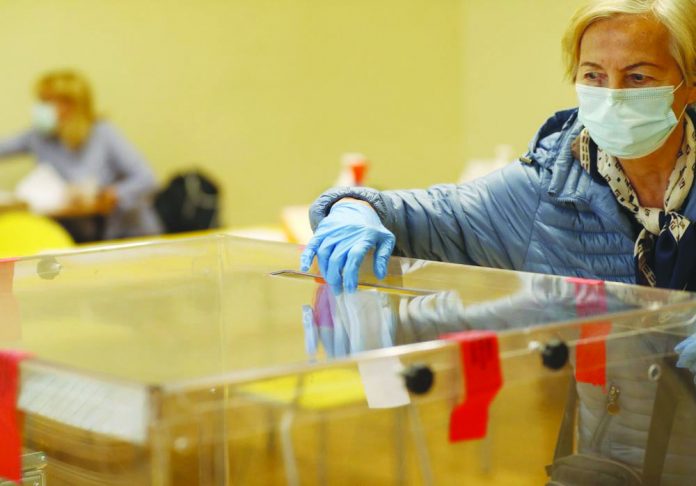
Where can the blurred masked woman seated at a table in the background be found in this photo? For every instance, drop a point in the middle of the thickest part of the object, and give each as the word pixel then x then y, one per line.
pixel 83 149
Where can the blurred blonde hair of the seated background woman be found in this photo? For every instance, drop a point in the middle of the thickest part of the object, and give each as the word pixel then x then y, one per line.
pixel 70 86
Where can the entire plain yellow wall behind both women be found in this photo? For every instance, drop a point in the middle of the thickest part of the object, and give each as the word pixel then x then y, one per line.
pixel 266 94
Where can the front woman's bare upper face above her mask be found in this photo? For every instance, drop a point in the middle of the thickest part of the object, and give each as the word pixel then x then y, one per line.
pixel 631 51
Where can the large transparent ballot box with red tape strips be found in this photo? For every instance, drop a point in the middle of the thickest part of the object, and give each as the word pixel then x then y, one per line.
pixel 213 361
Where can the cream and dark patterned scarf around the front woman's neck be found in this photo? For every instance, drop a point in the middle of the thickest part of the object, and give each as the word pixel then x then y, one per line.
pixel 665 250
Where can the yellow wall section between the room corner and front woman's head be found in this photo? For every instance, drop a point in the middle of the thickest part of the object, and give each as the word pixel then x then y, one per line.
pixel 513 75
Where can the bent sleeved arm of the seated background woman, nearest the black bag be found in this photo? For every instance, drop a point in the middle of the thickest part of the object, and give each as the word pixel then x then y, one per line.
pixel 135 180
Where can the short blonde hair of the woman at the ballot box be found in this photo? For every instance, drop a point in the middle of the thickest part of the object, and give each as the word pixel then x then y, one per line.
pixel 678 16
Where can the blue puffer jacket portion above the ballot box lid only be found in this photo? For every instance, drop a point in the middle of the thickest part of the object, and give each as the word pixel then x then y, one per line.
pixel 543 213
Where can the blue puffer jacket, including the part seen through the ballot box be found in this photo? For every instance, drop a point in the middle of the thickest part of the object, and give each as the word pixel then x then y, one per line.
pixel 544 213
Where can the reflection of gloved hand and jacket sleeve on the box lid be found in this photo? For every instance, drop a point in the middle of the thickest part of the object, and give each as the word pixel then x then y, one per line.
pixel 369 319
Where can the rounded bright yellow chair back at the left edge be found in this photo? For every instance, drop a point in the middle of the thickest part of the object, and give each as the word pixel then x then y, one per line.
pixel 23 233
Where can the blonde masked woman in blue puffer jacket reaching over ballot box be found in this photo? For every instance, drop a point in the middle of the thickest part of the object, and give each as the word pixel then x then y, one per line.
pixel 604 192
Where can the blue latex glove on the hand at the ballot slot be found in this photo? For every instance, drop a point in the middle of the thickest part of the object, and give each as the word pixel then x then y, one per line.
pixel 341 242
